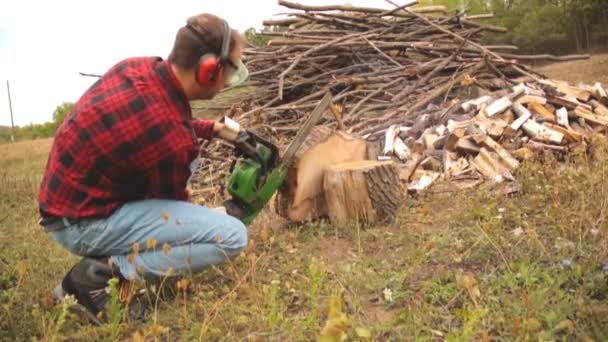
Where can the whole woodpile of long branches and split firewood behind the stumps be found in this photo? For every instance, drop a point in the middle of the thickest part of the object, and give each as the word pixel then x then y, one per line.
pixel 417 85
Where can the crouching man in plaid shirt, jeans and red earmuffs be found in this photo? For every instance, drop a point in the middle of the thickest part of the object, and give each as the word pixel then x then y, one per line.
pixel 115 186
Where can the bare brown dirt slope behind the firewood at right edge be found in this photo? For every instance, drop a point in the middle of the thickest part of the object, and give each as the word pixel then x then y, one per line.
pixel 590 70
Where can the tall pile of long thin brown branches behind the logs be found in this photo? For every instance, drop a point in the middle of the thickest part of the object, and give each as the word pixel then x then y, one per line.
pixel 411 67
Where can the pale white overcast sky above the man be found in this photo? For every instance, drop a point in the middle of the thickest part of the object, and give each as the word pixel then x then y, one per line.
pixel 45 44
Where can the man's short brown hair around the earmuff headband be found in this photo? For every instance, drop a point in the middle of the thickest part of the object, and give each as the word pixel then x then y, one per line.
pixel 189 47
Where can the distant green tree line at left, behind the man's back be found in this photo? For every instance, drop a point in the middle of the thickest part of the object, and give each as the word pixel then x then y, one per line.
pixel 37 131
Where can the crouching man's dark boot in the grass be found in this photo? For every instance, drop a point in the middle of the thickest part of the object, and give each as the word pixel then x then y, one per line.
pixel 88 282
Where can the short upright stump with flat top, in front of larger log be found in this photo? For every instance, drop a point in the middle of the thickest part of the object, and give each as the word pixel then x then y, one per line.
pixel 362 191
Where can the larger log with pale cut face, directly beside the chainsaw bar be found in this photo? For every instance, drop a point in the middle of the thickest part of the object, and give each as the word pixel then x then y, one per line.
pixel 302 196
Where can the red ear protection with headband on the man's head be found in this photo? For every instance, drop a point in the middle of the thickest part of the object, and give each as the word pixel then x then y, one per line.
pixel 210 66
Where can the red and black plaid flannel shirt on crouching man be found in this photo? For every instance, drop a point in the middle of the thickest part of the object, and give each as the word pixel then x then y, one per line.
pixel 131 136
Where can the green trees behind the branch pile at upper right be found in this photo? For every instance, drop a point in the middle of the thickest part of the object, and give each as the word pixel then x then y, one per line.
pixel 542 26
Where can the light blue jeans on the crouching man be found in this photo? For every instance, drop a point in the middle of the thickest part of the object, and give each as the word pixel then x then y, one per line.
pixel 173 238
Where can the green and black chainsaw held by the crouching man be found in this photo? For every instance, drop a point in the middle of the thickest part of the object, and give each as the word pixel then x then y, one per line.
pixel 256 177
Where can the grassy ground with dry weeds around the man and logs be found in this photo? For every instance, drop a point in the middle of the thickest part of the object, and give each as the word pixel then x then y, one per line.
pixel 456 266
